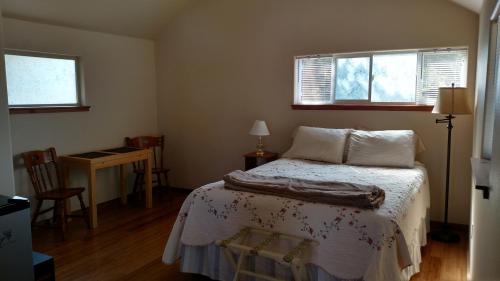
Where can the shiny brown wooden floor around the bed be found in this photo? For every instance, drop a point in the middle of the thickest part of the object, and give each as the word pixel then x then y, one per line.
pixel 129 242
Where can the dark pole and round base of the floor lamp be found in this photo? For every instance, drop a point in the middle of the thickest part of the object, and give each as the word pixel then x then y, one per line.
pixel 445 234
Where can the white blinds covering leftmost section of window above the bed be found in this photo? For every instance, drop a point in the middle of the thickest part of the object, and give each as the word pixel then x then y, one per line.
pixel 314 80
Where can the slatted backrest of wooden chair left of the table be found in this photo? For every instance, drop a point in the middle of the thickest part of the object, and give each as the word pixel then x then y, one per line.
pixel 43 169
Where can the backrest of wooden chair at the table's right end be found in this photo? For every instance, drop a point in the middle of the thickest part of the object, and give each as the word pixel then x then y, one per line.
pixel 155 143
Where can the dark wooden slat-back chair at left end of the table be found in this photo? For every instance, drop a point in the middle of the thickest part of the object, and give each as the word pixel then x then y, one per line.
pixel 47 180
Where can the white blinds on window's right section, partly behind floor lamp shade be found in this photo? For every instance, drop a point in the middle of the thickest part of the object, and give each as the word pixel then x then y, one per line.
pixel 441 69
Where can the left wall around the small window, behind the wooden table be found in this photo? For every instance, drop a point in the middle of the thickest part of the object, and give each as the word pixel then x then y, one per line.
pixel 120 87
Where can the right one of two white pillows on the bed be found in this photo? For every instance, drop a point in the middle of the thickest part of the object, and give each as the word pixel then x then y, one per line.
pixel 391 148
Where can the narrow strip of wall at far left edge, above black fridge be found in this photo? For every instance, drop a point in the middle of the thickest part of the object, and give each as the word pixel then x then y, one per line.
pixel 6 169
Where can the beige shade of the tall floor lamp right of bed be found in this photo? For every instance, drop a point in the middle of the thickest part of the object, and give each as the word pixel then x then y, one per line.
pixel 452 101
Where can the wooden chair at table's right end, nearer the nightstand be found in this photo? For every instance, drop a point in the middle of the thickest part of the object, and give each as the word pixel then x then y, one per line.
pixel 157 145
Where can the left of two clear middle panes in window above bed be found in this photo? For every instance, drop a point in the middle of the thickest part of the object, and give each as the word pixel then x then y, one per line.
pixel 352 78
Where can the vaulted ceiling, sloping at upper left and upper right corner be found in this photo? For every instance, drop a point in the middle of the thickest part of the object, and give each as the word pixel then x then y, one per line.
pixel 137 18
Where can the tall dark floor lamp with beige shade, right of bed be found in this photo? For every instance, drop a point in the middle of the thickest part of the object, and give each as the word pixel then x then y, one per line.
pixel 450 102
